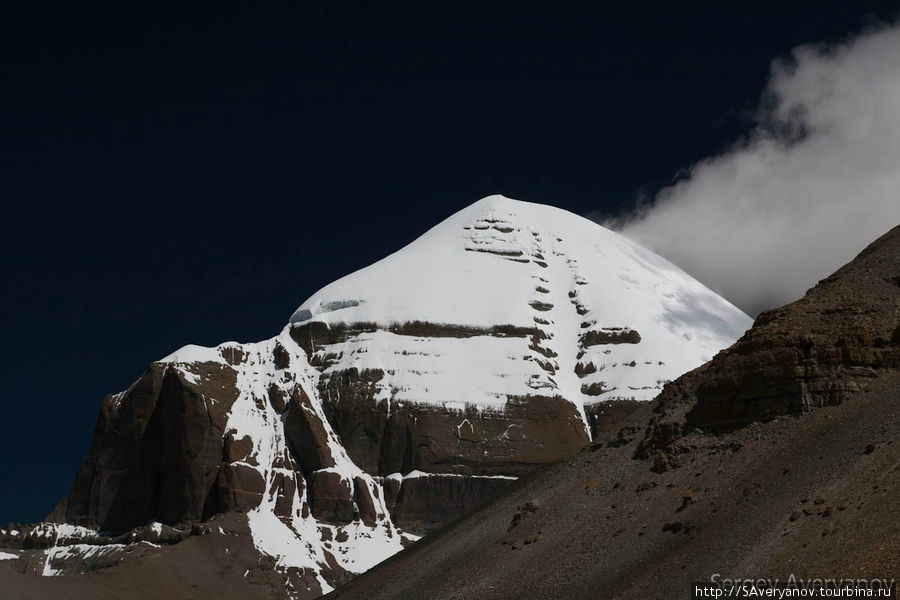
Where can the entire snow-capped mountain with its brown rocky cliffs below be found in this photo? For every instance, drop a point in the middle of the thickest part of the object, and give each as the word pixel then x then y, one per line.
pixel 395 400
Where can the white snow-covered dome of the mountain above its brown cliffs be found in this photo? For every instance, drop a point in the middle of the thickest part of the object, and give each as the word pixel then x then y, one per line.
pixel 587 313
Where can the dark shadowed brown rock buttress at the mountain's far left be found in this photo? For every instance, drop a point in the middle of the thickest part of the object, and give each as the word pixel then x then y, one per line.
pixel 156 451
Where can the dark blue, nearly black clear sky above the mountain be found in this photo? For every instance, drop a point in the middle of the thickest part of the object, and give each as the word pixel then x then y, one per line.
pixel 180 173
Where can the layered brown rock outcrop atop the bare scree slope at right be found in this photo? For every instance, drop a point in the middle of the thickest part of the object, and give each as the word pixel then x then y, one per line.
pixel 819 351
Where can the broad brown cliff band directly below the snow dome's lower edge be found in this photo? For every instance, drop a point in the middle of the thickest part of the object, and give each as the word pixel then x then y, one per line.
pixel 527 432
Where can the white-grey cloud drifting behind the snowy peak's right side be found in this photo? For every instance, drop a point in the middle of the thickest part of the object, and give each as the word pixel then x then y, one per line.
pixel 811 186
